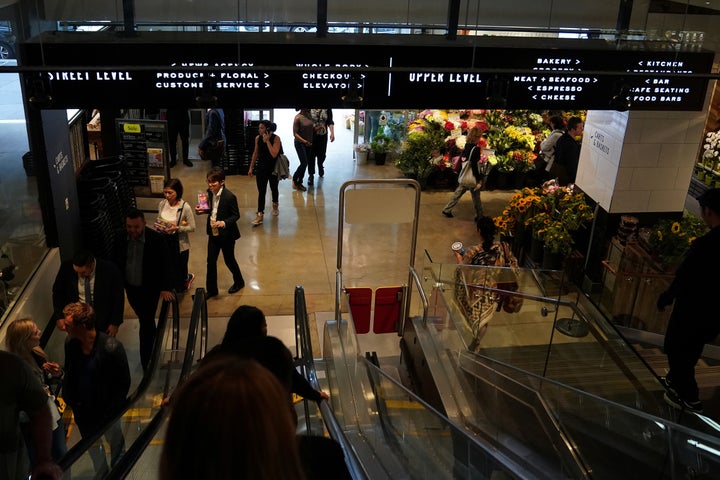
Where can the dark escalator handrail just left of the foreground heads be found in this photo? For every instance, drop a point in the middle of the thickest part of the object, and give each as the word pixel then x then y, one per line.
pixel 126 463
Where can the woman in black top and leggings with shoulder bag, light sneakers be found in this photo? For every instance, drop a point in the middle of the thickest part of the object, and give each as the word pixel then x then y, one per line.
pixel 267 147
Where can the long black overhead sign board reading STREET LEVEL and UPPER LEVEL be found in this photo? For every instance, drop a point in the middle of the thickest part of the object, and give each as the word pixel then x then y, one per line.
pixel 286 71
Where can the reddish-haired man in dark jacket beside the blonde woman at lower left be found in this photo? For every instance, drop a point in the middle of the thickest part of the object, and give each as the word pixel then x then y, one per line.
pixel 97 381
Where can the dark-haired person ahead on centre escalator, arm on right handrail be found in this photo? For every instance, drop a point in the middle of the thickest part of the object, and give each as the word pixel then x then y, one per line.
pixel 248 321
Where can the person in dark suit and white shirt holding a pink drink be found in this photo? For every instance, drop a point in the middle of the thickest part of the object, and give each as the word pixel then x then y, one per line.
pixel 222 231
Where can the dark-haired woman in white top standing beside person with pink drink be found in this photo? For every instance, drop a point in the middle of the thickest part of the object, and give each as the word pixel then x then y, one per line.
pixel 175 220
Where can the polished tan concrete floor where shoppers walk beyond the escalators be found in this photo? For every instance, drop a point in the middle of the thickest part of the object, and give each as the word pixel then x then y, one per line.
pixel 299 246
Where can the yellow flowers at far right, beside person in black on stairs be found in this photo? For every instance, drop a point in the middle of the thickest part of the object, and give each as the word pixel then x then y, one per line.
pixel 671 239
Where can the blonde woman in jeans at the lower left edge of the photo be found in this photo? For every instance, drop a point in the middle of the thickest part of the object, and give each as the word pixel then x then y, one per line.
pixel 23 339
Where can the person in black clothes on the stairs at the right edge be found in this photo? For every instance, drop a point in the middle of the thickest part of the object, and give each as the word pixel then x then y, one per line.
pixel 691 323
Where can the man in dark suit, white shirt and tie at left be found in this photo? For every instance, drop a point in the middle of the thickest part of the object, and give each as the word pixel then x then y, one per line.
pixel 100 280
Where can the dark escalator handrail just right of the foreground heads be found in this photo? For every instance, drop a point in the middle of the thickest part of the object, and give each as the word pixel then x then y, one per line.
pixel 331 424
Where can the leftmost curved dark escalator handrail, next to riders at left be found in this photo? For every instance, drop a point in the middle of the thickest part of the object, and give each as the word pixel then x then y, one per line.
pixel 79 449
